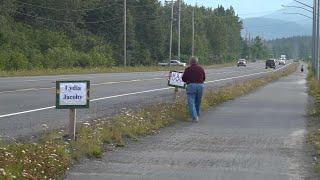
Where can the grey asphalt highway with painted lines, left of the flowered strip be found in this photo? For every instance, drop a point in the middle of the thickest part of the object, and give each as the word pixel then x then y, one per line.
pixel 26 103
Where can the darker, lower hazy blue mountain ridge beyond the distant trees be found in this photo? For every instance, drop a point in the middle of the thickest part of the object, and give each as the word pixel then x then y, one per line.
pixel 273 28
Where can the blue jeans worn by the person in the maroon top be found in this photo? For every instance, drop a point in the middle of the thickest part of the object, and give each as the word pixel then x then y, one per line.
pixel 194 92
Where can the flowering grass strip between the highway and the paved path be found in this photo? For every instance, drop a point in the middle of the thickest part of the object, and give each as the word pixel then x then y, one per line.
pixel 53 154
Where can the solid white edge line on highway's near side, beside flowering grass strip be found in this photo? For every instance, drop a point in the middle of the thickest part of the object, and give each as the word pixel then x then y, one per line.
pixel 135 93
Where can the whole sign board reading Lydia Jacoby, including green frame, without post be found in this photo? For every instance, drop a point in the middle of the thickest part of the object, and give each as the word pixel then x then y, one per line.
pixel 72 94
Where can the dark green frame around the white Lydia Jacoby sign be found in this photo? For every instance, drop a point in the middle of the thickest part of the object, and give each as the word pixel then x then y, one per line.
pixel 58 106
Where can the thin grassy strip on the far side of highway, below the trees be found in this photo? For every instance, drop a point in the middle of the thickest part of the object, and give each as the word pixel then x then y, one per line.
pixel 68 71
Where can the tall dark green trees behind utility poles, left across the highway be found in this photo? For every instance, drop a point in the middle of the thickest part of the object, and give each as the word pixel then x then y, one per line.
pixel 37 34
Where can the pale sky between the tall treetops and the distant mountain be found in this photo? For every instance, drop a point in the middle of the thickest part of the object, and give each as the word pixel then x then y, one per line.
pixel 245 8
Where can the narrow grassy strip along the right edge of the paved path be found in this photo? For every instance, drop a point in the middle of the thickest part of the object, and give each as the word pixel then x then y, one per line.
pixel 313 137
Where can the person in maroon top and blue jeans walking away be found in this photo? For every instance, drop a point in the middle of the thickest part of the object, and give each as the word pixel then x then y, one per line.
pixel 194 76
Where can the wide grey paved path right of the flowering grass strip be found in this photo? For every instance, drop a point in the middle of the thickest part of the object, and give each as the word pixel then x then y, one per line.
pixel 260 136
